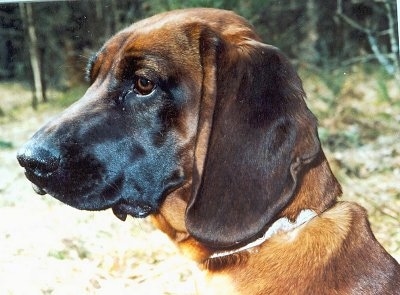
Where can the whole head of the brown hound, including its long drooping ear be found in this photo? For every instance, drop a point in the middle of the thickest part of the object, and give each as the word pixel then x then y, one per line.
pixel 187 101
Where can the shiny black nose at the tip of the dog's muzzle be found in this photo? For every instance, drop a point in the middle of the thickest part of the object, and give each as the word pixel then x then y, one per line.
pixel 38 159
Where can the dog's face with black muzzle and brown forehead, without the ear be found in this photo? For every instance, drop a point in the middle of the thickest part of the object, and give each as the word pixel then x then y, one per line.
pixel 128 141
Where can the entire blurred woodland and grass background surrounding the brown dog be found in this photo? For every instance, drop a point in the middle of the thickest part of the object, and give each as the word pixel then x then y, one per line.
pixel 346 52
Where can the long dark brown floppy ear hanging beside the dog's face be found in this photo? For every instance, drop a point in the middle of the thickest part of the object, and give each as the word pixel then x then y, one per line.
pixel 261 137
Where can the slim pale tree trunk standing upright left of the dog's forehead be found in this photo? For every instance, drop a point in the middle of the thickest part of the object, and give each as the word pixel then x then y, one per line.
pixel 27 18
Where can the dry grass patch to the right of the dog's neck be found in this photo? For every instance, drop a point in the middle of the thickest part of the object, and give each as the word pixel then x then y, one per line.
pixel 360 135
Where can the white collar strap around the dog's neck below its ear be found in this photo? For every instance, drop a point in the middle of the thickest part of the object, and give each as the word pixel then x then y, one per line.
pixel 281 225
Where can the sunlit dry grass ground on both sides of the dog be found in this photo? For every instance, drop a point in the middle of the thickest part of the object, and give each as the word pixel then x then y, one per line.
pixel 49 248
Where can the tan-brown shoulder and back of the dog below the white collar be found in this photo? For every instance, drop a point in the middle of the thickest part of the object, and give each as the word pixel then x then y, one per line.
pixel 317 259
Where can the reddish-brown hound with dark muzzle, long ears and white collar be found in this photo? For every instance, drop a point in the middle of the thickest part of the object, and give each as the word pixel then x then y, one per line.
pixel 191 119
